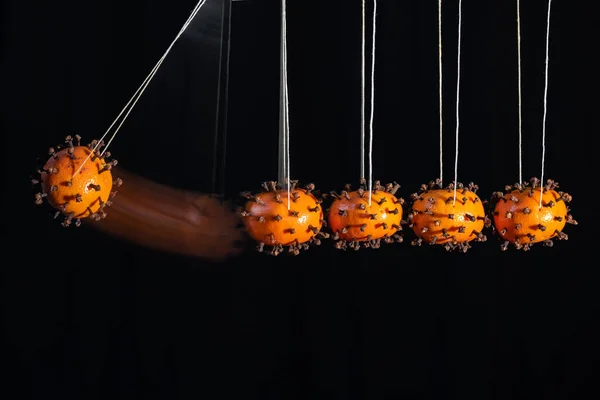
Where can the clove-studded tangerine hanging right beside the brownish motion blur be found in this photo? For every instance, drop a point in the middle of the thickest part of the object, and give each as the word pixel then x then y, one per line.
pixel 274 219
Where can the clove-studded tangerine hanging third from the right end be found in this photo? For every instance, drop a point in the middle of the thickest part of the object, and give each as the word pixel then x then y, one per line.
pixel 355 223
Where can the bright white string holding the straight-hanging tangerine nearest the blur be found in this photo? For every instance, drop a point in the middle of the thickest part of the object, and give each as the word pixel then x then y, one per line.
pixel 285 99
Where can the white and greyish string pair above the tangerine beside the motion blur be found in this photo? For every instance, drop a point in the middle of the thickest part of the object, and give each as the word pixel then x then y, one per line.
pixel 284 129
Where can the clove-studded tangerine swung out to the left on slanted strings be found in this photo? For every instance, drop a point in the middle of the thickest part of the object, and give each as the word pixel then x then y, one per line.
pixel 77 181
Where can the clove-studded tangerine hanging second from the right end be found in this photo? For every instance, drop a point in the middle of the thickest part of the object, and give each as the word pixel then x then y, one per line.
pixel 438 217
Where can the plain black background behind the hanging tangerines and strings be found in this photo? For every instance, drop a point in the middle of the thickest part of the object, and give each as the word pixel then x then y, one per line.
pixel 86 316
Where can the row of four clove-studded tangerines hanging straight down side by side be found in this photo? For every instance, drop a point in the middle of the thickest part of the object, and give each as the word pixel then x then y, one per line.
pixel 453 217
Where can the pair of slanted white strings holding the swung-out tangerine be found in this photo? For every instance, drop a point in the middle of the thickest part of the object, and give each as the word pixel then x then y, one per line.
pixel 138 93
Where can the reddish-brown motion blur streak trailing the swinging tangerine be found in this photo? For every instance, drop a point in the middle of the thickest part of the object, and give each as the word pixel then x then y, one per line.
pixel 172 220
